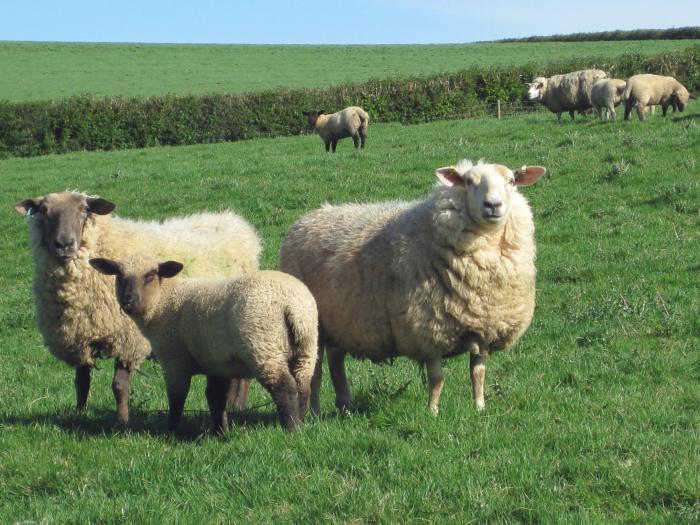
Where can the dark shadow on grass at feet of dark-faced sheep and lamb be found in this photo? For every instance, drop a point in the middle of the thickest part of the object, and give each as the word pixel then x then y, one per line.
pixel 194 425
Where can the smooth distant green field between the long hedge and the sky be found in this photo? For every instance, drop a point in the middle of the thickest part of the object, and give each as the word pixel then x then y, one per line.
pixel 47 71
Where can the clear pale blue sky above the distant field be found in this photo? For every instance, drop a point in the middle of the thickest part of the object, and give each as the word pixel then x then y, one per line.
pixel 328 22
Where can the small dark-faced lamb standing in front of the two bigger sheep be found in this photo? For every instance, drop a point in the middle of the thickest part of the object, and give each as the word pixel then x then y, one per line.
pixel 261 324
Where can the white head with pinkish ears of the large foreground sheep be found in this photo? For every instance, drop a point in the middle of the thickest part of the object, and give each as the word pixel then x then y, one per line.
pixel 487 189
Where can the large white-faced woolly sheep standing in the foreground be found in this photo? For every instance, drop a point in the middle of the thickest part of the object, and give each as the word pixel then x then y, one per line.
pixel 427 279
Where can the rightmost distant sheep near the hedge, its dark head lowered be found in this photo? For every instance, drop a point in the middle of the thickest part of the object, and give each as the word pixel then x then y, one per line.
pixel 650 90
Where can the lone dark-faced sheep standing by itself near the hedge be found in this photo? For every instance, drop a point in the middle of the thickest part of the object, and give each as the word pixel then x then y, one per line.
pixel 349 122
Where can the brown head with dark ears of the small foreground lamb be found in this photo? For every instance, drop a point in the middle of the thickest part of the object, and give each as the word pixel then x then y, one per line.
pixel 139 281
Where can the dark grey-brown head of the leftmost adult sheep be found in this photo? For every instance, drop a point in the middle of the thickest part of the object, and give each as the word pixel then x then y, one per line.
pixel 61 218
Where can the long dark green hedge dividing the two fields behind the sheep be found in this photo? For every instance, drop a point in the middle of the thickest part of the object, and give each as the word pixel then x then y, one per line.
pixel 86 123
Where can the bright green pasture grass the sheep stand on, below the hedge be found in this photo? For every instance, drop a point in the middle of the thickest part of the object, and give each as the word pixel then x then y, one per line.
pixel 591 418
